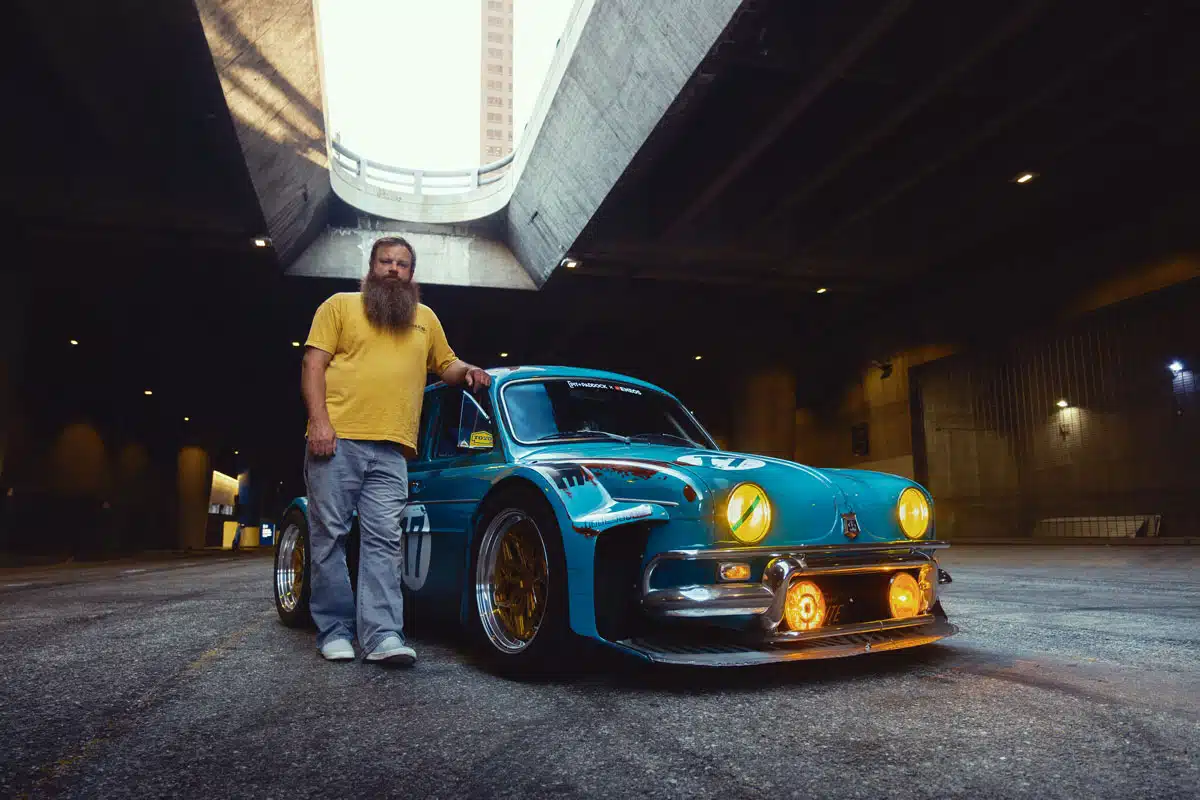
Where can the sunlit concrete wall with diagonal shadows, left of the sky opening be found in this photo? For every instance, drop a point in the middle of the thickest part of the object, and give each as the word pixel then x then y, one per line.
pixel 267 56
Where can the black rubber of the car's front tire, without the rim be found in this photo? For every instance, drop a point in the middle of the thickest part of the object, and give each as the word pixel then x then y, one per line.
pixel 547 648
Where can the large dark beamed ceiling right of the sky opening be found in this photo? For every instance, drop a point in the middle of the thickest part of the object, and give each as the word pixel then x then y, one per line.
pixel 860 146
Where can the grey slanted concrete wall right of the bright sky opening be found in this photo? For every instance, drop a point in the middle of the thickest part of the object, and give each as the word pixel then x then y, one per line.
pixel 629 61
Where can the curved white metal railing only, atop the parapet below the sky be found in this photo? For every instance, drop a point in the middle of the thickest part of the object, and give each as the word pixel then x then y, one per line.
pixel 405 184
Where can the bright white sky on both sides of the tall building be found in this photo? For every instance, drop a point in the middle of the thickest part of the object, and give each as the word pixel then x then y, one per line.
pixel 403 77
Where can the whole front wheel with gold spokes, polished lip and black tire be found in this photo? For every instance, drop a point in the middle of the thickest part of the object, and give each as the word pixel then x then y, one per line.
pixel 500 635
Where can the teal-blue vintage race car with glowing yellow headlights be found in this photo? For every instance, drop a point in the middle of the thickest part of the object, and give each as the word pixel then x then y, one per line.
pixel 572 502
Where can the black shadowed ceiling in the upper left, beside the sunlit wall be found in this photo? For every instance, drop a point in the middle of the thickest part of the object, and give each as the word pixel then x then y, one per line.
pixel 118 128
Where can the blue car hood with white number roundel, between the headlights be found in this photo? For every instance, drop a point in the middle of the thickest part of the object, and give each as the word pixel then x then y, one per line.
pixel 807 503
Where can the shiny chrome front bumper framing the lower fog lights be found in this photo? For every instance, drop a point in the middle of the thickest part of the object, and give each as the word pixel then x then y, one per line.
pixel 766 599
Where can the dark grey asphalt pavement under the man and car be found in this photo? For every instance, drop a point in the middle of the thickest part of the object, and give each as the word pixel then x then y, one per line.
pixel 1076 676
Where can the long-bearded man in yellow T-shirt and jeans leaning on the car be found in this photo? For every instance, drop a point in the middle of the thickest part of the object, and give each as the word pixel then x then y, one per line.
pixel 365 368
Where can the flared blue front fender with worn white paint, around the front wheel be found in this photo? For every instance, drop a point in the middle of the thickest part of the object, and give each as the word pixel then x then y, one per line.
pixel 585 510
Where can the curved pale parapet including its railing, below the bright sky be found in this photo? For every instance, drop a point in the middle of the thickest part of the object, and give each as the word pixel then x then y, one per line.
pixel 448 196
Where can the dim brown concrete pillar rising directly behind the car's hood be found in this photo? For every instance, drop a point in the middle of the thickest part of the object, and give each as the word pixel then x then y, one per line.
pixel 765 420
